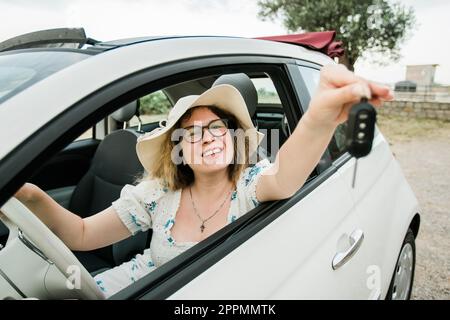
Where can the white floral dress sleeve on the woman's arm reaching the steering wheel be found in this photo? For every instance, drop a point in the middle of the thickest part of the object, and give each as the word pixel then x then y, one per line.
pixel 137 204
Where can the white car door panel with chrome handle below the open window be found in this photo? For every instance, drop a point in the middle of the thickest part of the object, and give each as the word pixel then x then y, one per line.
pixel 309 249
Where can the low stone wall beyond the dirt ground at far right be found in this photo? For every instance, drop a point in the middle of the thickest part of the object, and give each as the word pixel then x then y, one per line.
pixel 417 109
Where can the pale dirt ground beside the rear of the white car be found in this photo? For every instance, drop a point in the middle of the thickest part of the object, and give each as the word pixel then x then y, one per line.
pixel 423 149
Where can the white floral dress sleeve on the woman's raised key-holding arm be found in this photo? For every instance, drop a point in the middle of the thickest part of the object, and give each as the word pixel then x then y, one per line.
pixel 248 181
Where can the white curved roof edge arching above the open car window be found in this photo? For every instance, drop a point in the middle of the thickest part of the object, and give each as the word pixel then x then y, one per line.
pixel 127 58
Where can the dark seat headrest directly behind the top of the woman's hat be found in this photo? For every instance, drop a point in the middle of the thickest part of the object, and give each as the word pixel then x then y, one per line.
pixel 245 86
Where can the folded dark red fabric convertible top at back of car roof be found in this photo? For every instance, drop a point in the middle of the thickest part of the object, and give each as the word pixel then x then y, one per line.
pixel 319 41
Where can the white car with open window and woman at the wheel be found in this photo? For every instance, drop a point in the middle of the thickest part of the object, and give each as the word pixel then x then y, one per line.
pixel 329 241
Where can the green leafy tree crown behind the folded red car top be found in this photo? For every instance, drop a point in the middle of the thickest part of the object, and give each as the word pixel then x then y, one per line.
pixel 378 26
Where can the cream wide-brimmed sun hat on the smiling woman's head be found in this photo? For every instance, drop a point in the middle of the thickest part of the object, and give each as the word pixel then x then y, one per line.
pixel 224 96
